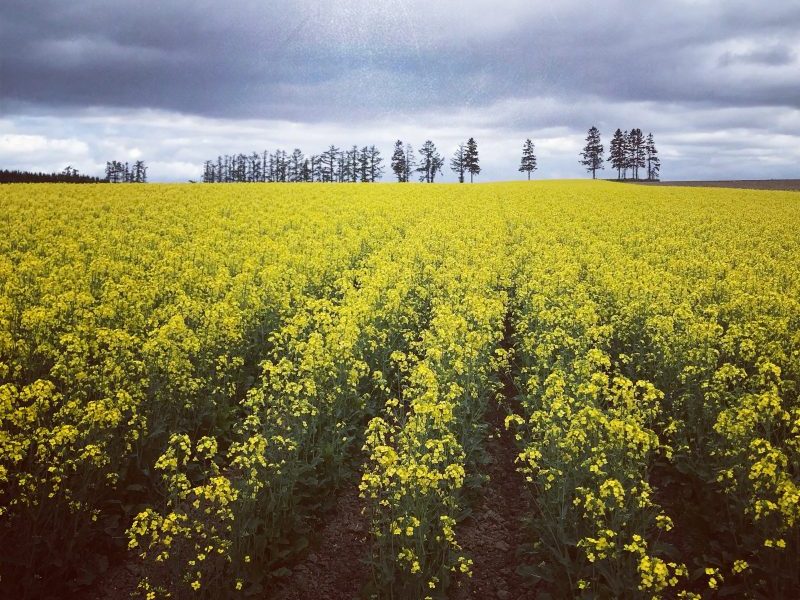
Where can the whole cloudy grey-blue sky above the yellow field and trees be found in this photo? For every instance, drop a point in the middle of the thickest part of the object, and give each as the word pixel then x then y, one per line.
pixel 176 82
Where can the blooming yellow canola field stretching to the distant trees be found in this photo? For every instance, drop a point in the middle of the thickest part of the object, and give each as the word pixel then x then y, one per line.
pixel 188 373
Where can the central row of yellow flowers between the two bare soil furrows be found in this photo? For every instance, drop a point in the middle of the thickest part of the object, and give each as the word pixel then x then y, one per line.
pixel 420 448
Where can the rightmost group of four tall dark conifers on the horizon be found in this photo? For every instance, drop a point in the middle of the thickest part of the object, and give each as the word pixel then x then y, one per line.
pixel 628 152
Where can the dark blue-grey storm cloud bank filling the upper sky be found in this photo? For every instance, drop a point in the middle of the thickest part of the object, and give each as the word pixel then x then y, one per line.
pixel 315 60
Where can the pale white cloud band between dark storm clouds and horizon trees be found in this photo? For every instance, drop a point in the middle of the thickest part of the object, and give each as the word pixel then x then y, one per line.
pixel 711 144
